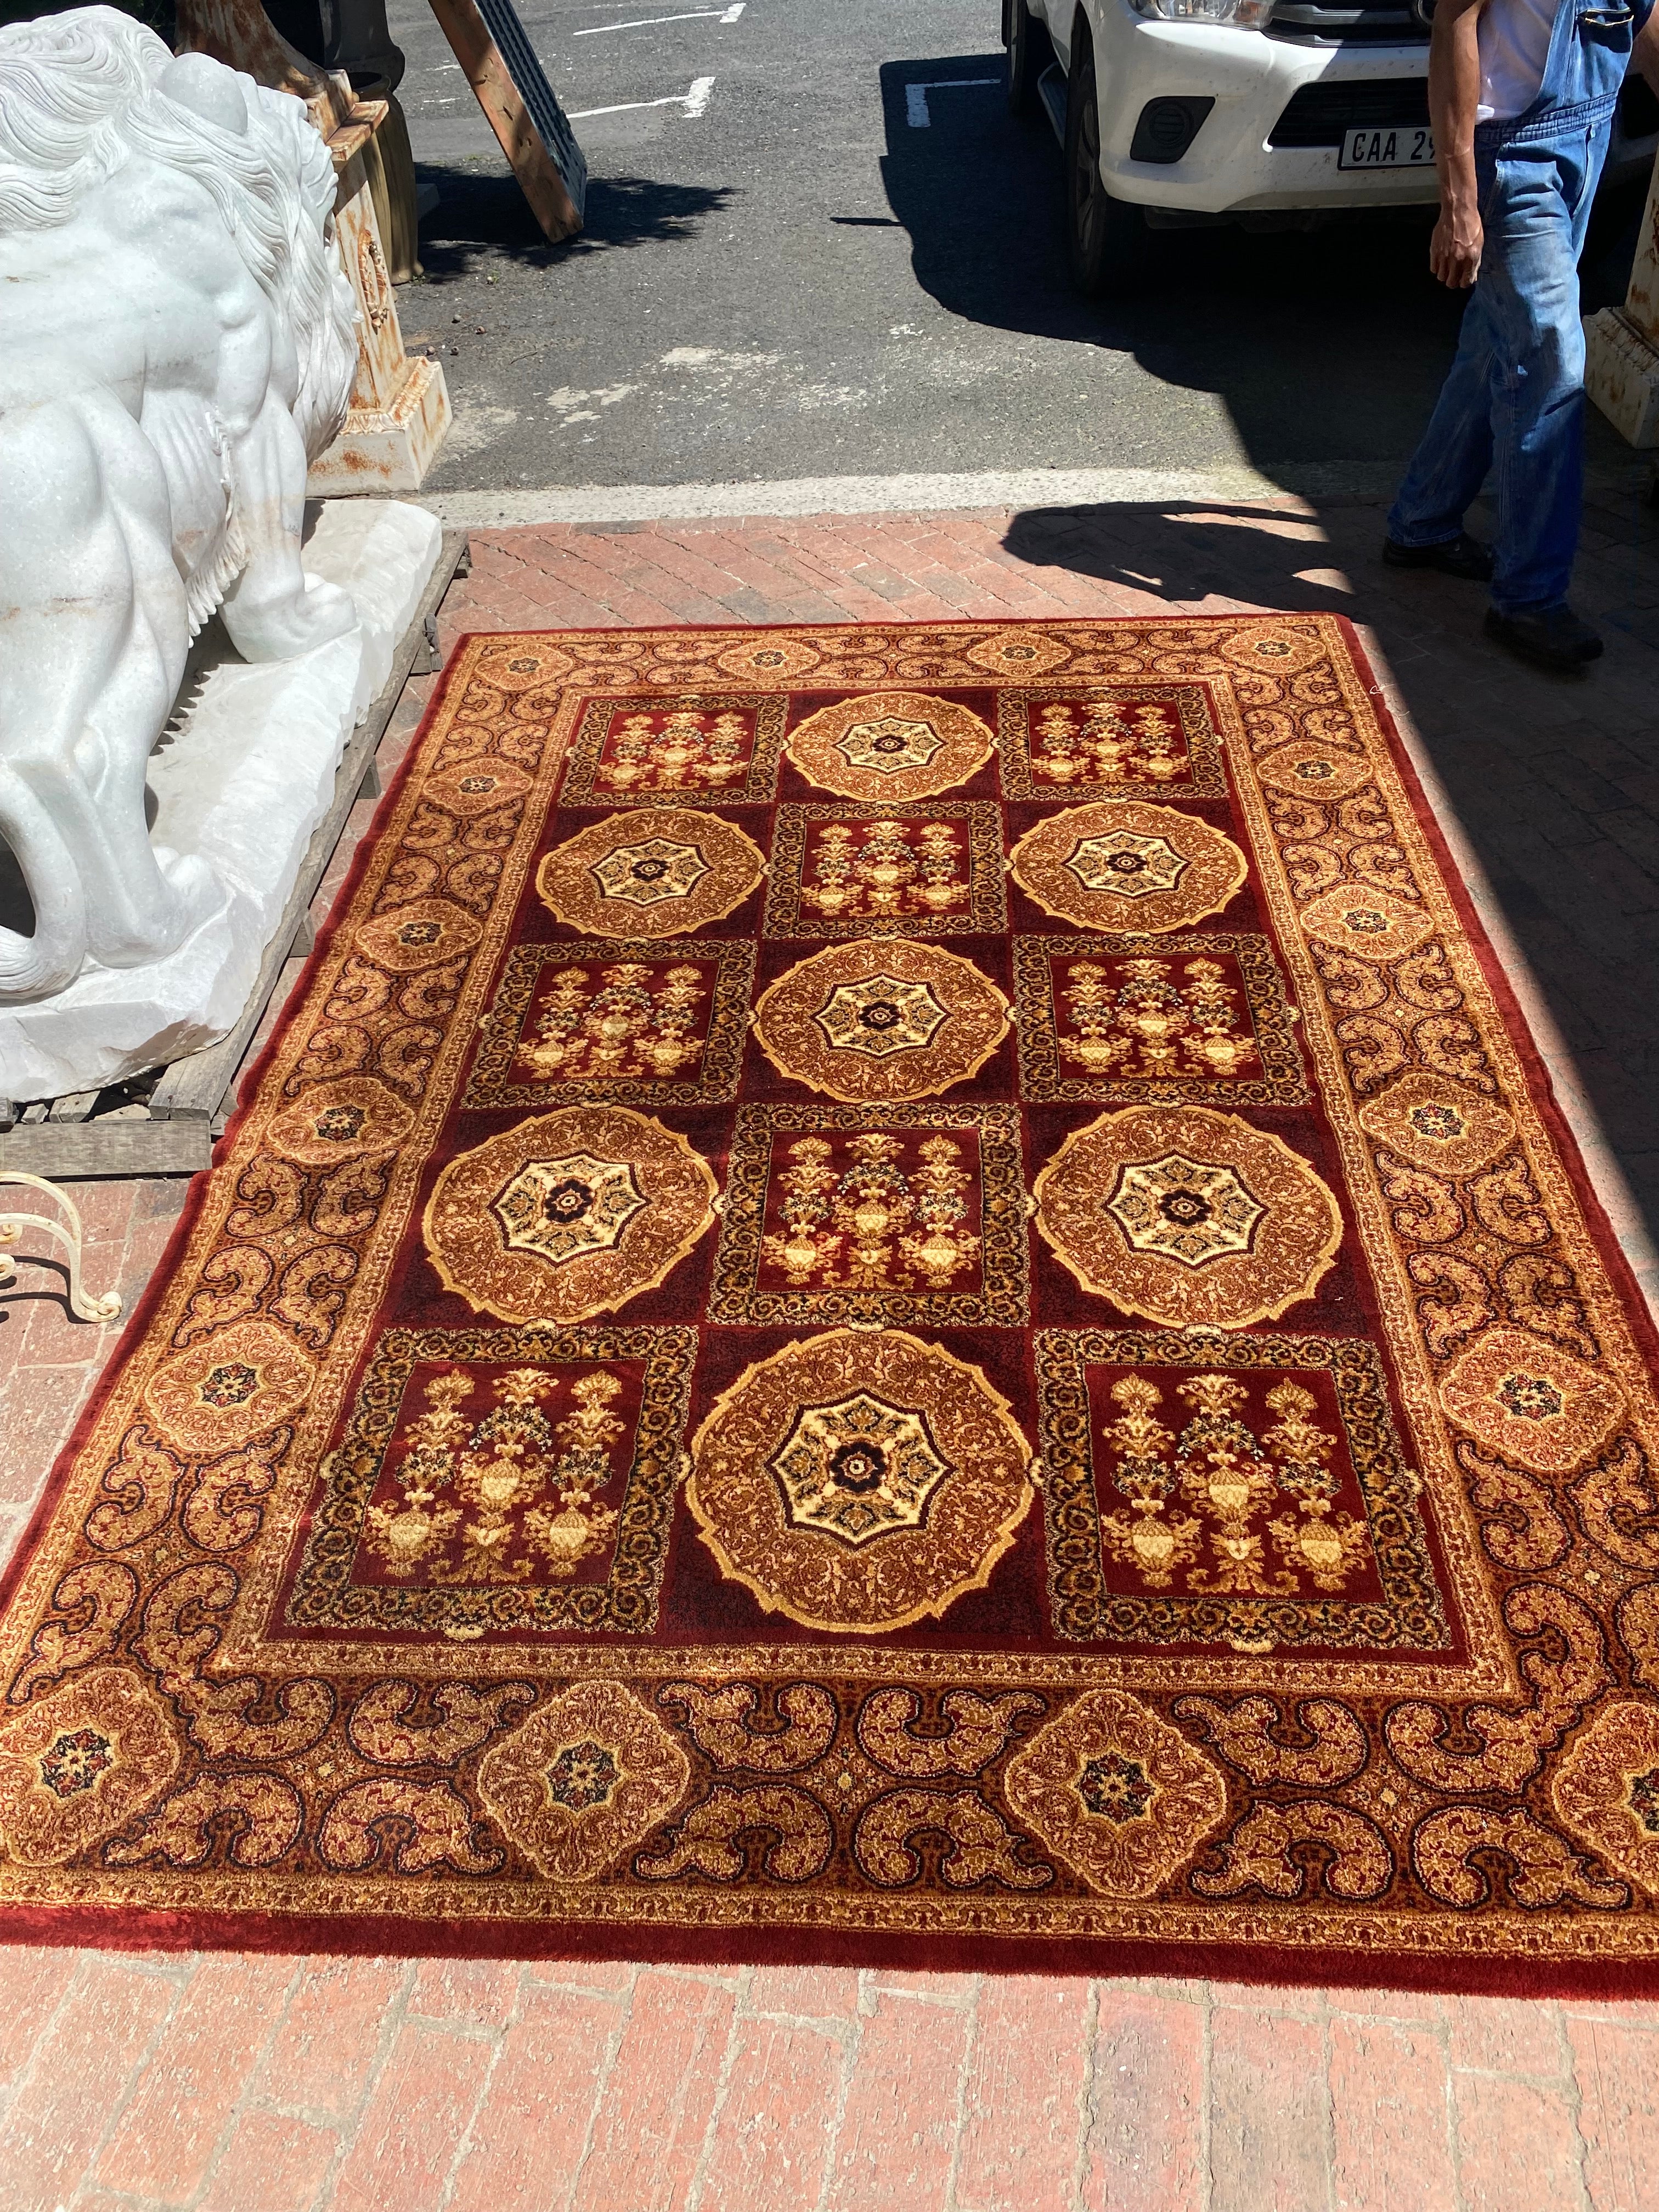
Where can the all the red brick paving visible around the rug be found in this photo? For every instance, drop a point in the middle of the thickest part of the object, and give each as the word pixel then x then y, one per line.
pixel 340 2087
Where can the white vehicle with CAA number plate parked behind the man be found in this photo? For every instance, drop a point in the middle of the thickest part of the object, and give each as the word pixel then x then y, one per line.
pixel 1258 112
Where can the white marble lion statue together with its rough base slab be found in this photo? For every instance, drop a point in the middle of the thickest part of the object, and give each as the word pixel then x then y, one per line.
pixel 178 346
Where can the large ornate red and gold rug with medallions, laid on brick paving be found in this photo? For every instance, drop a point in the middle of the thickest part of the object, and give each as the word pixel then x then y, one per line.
pixel 897 1295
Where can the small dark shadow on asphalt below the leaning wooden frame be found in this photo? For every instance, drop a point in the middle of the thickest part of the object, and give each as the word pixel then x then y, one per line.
pixel 486 216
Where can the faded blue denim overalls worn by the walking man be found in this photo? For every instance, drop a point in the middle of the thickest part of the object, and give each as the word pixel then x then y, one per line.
pixel 1516 390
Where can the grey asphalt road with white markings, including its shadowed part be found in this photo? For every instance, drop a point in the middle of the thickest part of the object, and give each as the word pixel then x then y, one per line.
pixel 797 282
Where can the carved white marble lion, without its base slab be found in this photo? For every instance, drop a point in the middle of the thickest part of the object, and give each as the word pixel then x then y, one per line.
pixel 176 346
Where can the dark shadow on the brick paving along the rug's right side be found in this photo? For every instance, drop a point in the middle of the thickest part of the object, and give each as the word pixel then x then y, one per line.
pixel 1554 780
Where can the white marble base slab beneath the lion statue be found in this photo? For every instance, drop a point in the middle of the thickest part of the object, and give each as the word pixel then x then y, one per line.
pixel 242 778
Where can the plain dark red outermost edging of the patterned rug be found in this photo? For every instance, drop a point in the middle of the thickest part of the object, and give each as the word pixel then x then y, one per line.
pixel 596 1941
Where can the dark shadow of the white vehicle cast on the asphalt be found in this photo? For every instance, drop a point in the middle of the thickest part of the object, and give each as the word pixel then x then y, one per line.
pixel 1353 302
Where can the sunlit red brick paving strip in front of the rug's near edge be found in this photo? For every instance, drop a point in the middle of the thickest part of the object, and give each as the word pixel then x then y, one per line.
pixel 264 2085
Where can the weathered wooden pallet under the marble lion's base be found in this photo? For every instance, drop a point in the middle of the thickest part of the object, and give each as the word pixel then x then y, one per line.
pixel 174 1131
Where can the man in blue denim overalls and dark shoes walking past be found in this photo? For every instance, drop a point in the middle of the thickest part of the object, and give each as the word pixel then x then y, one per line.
pixel 1514 209
